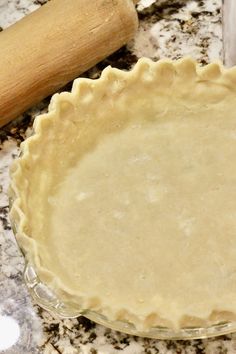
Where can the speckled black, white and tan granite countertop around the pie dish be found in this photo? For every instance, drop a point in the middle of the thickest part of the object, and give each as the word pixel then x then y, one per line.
pixel 167 29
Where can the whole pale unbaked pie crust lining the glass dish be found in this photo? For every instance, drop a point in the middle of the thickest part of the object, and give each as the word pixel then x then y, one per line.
pixel 125 196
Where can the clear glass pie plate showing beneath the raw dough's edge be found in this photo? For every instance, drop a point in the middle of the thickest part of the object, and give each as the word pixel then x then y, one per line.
pixel 48 300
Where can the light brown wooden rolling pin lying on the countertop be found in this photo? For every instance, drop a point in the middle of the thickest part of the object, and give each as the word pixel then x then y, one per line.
pixel 53 45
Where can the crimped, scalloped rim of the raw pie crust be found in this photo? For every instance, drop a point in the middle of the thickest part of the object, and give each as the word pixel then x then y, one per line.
pixel 185 71
